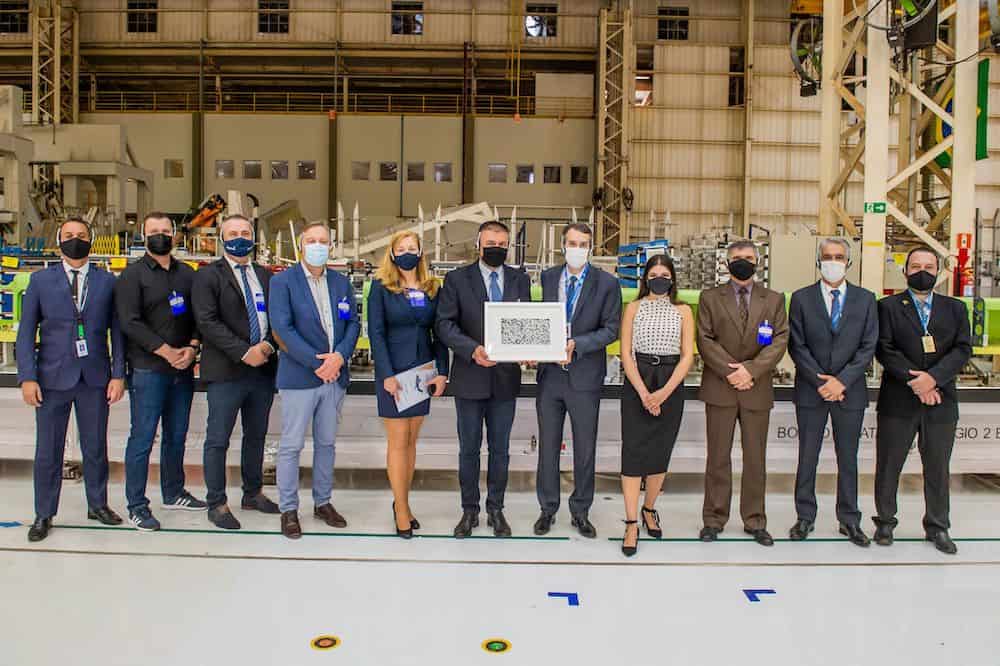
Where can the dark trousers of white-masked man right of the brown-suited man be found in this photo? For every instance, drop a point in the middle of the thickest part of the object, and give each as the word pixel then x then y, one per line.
pixel 847 424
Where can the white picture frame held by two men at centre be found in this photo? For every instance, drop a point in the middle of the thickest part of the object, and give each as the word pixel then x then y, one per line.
pixel 525 331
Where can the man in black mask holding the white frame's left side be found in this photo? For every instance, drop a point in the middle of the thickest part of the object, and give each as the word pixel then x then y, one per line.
pixel 488 390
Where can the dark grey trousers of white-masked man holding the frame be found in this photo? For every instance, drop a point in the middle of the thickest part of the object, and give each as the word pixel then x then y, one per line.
pixel 555 399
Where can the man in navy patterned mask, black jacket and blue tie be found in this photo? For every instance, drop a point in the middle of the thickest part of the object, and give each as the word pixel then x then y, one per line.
pixel 238 364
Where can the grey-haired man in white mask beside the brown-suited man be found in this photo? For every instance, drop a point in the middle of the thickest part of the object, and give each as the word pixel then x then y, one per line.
pixel 833 332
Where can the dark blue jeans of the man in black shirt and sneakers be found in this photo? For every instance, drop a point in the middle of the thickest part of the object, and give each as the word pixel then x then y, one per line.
pixel 156 396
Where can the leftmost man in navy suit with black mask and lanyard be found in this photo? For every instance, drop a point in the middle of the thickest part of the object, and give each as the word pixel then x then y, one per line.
pixel 71 304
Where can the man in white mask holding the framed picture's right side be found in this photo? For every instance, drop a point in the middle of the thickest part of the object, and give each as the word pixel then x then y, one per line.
pixel 593 302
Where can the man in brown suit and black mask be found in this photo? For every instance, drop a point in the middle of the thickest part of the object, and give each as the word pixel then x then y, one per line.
pixel 742 335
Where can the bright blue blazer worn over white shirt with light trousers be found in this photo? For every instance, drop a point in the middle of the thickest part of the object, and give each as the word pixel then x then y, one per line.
pixel 299 330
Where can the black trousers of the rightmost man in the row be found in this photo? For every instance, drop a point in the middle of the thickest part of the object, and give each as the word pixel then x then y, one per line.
pixel 936 441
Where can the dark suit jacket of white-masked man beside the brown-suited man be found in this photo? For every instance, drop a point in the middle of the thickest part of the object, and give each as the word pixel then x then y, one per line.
pixel 817 349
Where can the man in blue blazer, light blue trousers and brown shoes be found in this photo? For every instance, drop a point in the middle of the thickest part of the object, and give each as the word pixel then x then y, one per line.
pixel 316 325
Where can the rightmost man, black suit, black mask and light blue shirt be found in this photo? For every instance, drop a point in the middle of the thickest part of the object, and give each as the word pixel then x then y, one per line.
pixel 924 342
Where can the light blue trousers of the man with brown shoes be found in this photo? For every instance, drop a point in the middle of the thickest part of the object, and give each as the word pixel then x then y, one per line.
pixel 300 408
